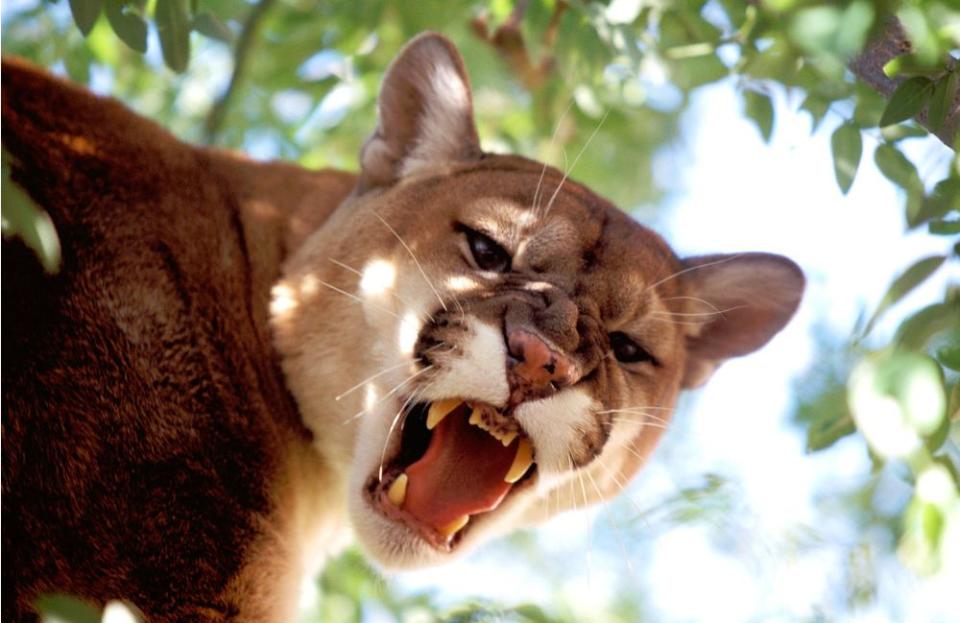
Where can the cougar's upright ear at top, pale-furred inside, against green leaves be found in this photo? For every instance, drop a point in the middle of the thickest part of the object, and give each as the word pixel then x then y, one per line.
pixel 425 114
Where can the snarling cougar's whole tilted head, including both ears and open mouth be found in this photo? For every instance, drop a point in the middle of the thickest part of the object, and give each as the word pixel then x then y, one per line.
pixel 479 343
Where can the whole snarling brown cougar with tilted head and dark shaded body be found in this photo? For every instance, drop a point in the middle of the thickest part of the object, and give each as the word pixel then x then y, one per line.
pixel 240 364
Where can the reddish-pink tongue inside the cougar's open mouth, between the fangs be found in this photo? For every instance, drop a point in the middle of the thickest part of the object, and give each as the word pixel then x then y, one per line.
pixel 460 474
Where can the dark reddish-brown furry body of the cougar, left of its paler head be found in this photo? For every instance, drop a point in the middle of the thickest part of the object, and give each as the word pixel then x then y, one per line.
pixel 145 419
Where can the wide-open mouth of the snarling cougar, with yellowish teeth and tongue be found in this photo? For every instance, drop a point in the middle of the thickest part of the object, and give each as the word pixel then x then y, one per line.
pixel 457 460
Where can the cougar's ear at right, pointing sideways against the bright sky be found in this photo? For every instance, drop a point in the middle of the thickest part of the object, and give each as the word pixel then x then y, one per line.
pixel 753 294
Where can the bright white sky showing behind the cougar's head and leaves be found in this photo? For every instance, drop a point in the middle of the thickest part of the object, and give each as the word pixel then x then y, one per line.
pixel 739 194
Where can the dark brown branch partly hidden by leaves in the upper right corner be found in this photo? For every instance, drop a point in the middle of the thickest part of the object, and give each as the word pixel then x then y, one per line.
pixel 868 67
